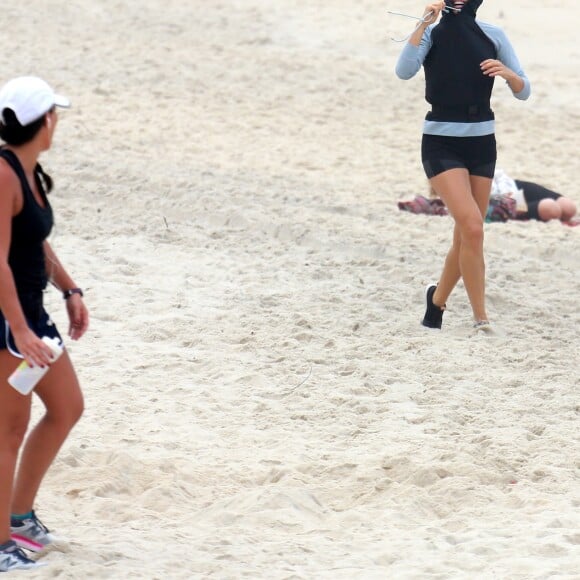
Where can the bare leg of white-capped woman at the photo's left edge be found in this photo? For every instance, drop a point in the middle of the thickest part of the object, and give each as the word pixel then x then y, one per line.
pixel 14 417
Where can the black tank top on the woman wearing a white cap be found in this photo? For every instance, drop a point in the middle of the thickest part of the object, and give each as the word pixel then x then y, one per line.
pixel 30 227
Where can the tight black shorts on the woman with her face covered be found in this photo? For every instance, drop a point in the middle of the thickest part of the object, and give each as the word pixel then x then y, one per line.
pixel 476 154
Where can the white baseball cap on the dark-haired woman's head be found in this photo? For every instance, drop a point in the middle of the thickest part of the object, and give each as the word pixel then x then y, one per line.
pixel 29 98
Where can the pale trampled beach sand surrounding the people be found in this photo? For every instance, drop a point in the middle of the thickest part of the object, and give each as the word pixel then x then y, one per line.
pixel 261 399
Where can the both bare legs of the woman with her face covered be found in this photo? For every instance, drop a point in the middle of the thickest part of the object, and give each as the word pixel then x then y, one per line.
pixel 466 198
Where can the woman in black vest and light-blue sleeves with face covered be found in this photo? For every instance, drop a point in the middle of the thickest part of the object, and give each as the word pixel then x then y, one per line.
pixel 461 57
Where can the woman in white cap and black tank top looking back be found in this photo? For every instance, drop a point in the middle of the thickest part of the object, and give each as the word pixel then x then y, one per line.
pixel 28 119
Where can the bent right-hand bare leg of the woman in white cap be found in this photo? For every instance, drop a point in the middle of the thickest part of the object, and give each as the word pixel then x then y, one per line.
pixel 60 392
